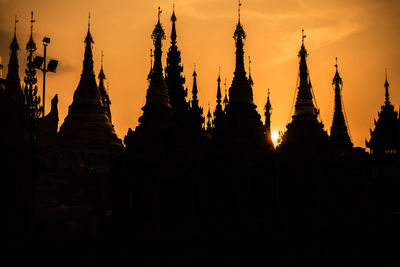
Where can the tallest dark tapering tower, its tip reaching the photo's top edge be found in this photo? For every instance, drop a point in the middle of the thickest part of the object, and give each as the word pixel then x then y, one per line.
pixel 243 127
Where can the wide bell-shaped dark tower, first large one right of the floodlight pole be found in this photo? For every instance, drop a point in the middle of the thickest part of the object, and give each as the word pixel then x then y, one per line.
pixel 87 126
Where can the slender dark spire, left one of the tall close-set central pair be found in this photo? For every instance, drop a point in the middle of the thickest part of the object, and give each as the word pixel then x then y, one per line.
pixel 157 93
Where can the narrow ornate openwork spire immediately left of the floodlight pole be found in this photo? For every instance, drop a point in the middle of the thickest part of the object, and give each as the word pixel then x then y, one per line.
pixel 32 100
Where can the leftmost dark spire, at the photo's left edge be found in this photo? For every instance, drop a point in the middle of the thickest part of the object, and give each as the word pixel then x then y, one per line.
pixel 12 80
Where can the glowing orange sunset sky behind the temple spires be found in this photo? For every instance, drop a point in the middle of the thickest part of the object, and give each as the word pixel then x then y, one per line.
pixel 363 34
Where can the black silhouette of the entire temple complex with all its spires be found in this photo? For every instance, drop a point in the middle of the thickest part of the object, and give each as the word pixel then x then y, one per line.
pixel 211 181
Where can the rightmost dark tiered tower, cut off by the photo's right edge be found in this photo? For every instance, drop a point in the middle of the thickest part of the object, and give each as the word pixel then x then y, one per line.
pixel 384 142
